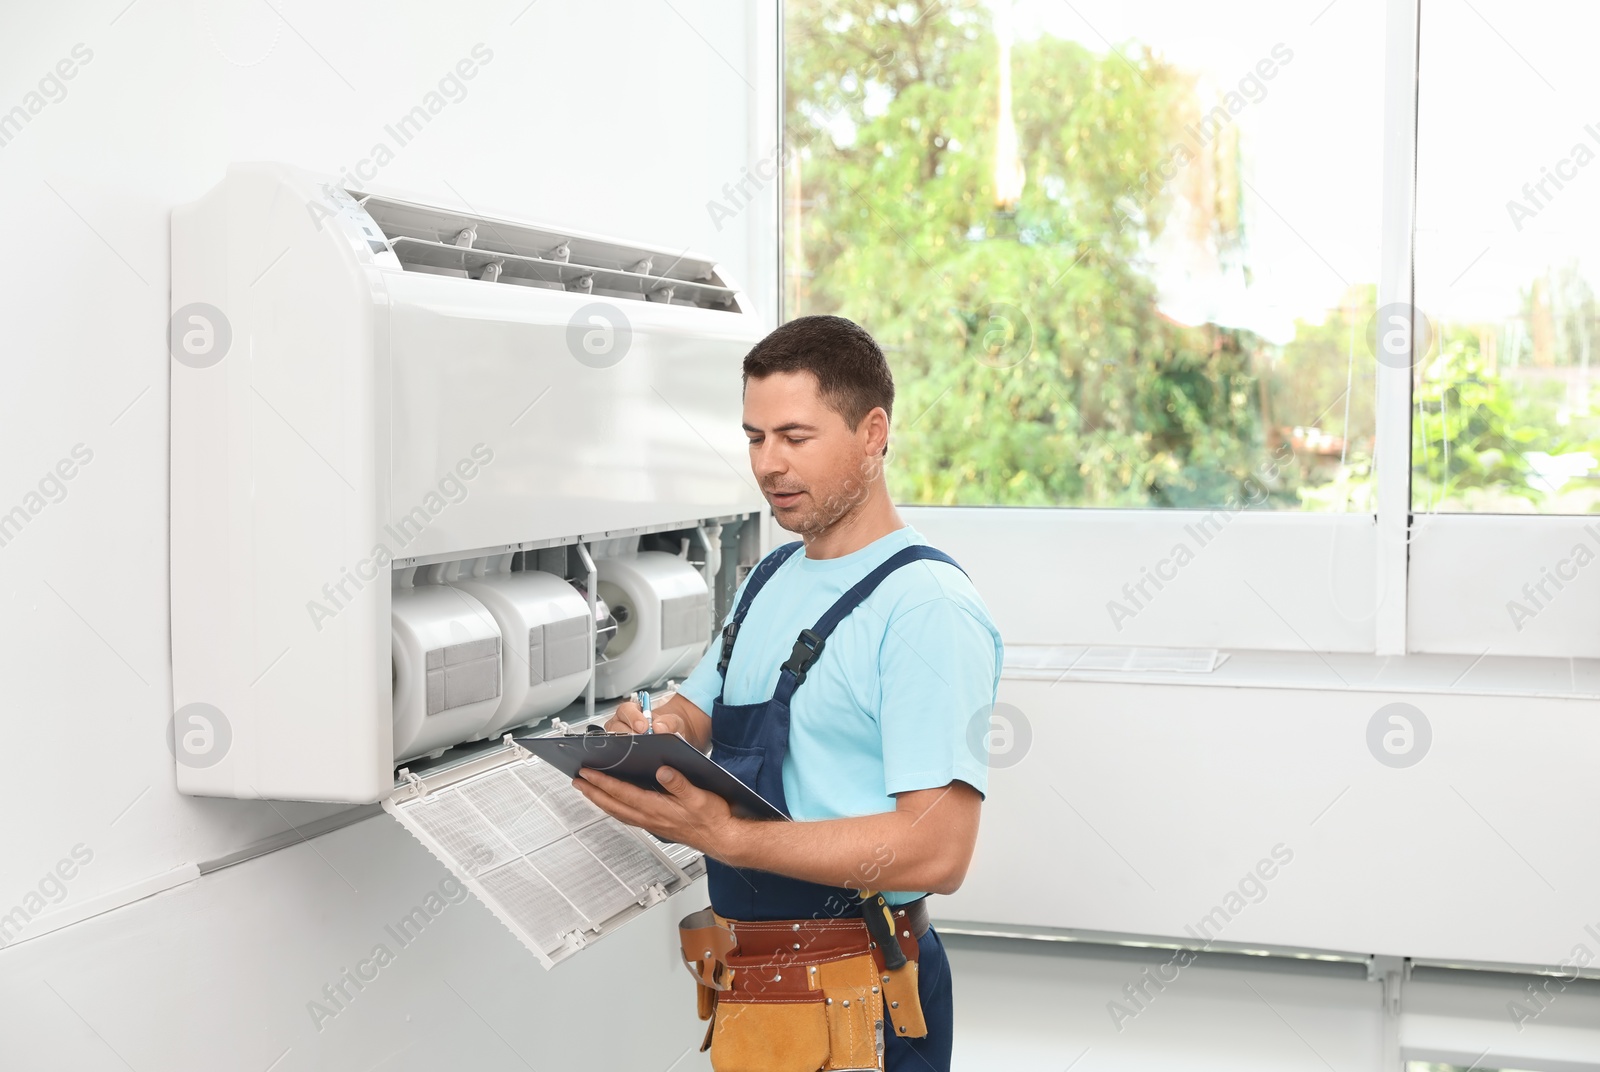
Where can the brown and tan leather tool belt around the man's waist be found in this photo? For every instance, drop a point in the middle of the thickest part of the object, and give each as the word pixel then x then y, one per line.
pixel 802 996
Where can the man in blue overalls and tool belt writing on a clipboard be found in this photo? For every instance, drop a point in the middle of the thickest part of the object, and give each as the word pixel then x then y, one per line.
pixel 871 730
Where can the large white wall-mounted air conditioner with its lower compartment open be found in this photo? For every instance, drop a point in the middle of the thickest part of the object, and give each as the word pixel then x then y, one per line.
pixel 436 476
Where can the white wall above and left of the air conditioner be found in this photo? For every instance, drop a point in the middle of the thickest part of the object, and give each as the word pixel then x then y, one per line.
pixel 622 119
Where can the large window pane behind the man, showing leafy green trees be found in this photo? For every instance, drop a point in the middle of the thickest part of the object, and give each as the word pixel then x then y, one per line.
pixel 1119 255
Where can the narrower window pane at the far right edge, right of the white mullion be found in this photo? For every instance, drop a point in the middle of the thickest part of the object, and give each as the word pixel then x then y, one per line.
pixel 1508 215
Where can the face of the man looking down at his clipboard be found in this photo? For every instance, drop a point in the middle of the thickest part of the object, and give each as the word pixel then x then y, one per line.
pixel 812 468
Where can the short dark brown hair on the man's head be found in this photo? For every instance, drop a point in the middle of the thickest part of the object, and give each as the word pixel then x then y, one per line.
pixel 847 362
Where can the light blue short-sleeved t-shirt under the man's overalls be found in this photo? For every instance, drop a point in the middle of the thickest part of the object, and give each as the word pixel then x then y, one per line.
pixel 898 700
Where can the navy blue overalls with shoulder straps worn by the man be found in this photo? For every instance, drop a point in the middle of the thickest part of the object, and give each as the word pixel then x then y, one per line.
pixel 751 742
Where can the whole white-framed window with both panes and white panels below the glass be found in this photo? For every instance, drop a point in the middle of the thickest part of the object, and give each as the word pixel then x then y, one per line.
pixel 1326 270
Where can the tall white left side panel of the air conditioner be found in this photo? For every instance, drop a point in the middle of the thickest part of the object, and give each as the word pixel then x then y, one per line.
pixel 278 494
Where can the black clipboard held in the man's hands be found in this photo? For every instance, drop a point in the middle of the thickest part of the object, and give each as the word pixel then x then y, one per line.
pixel 634 759
